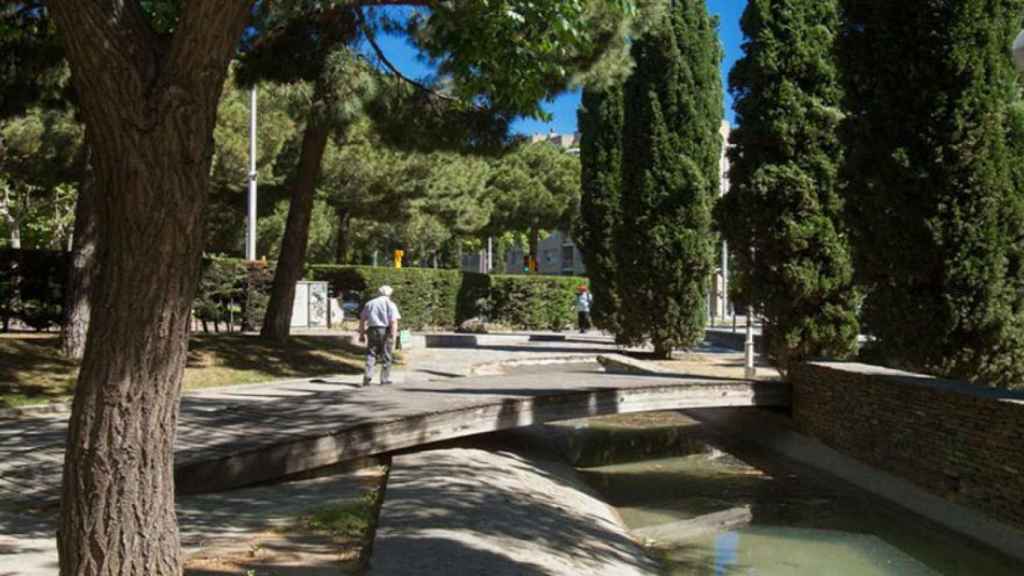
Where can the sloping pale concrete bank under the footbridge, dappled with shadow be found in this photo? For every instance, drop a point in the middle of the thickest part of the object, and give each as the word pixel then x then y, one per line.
pixel 477 513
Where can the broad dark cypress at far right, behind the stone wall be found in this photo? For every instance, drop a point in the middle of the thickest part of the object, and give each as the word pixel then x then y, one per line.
pixel 935 212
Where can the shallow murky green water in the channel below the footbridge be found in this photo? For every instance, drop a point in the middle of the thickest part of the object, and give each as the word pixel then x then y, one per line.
pixel 793 521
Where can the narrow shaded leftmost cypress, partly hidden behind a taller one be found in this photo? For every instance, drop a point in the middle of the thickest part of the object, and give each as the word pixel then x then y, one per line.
pixel 601 120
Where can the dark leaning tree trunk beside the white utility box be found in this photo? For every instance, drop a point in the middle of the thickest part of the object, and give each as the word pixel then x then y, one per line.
pixel 278 322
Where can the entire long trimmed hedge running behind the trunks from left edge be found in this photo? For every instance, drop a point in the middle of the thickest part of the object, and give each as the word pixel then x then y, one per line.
pixel 32 284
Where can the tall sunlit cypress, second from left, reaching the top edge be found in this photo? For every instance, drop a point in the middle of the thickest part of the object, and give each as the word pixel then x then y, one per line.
pixel 671 153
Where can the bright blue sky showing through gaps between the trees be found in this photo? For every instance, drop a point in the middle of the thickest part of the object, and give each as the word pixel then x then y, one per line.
pixel 564 109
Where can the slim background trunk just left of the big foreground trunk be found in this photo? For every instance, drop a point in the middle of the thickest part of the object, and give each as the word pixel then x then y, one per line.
pixel 82 272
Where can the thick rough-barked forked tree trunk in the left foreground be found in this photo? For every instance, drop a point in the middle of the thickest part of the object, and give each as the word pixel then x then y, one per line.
pixel 150 105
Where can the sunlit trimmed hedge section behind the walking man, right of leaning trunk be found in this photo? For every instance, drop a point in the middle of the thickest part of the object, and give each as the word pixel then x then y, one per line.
pixel 430 298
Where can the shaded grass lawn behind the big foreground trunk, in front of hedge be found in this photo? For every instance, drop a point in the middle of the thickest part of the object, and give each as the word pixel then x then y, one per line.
pixel 32 371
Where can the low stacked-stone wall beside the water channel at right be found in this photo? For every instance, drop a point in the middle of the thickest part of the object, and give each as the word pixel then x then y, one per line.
pixel 960 442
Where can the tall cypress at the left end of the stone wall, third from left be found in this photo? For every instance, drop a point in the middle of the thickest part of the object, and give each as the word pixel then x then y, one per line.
pixel 784 213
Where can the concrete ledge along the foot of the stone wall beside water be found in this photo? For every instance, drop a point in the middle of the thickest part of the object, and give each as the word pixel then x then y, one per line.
pixel 957 518
